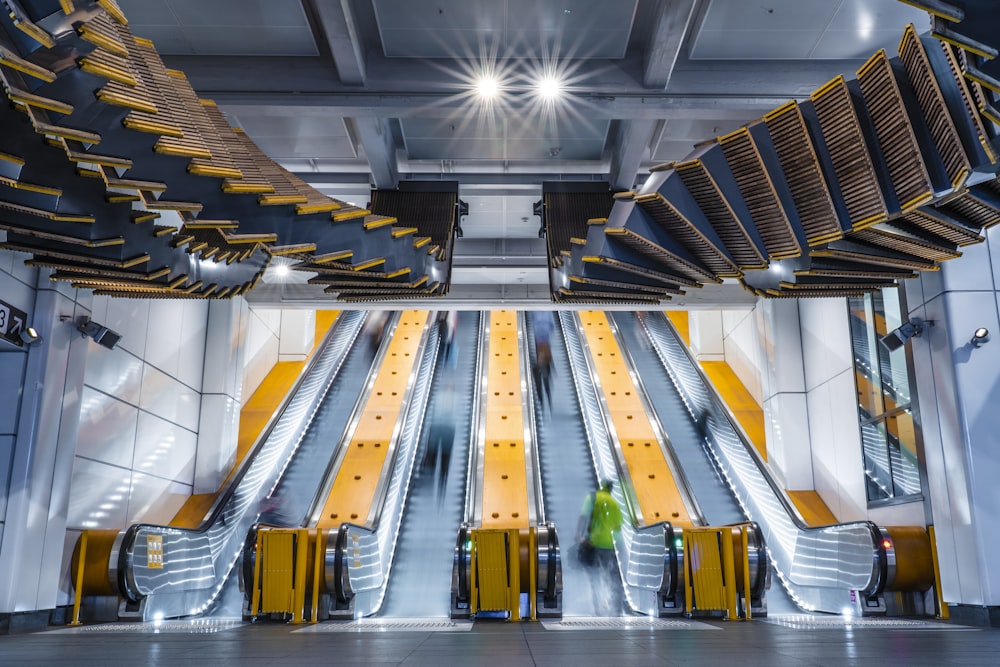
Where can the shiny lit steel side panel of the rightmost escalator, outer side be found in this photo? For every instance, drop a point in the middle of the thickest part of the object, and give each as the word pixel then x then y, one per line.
pixel 820 567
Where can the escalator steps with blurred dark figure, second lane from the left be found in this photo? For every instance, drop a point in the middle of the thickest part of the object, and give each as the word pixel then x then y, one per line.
pixel 421 574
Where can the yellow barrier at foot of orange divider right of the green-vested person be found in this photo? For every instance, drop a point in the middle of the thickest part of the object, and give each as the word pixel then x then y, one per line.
pixel 710 580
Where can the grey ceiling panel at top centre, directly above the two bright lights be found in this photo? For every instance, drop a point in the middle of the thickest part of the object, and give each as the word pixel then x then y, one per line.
pixel 504 29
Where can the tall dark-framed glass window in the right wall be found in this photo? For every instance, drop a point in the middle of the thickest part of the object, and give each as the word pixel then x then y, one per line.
pixel 888 434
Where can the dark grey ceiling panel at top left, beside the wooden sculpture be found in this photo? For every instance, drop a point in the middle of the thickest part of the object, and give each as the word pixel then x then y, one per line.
pixel 222 27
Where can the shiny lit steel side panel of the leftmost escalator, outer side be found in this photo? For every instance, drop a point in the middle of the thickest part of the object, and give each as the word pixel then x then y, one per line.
pixel 195 564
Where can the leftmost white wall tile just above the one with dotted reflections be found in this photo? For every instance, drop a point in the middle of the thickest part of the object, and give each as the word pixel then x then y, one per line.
pixel 107 429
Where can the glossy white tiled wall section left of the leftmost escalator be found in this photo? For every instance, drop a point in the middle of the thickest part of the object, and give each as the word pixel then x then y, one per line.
pixel 139 415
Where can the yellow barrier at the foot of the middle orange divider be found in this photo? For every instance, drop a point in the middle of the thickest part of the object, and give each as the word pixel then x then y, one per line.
pixel 495 582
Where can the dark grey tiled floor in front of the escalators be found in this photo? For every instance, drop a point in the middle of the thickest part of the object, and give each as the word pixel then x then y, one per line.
pixel 769 642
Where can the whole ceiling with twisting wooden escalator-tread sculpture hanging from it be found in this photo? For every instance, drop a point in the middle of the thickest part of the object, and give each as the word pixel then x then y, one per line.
pixel 120 173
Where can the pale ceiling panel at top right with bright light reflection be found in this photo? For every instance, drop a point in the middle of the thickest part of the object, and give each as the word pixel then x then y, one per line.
pixel 801 29
